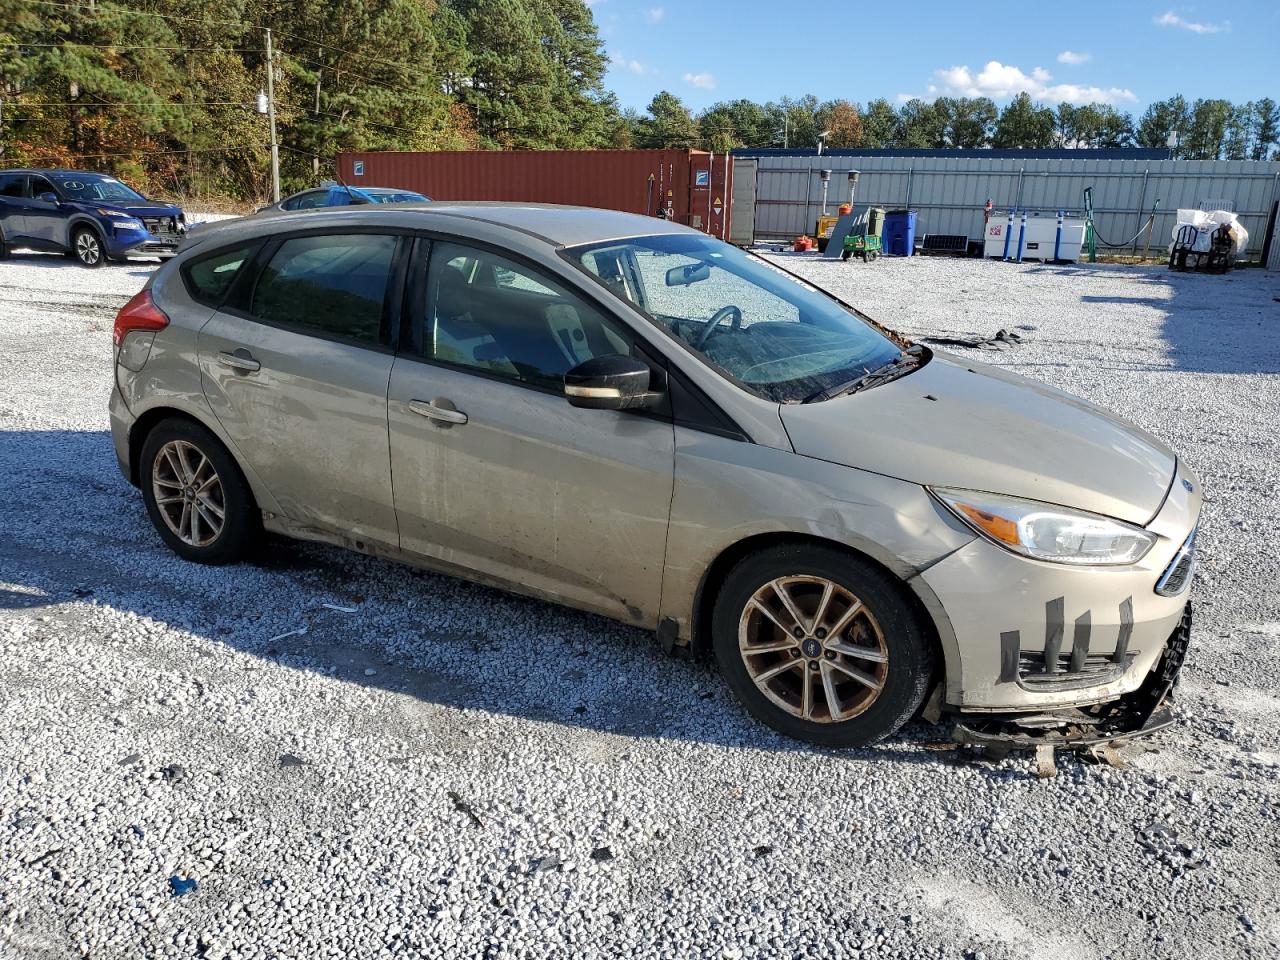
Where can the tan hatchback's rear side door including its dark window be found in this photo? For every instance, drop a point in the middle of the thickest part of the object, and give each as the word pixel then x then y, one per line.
pixel 296 367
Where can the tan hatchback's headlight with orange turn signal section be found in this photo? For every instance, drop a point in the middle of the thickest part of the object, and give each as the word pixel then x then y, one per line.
pixel 1046 532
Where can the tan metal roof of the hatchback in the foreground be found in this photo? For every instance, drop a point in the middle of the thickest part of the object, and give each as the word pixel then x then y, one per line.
pixel 559 226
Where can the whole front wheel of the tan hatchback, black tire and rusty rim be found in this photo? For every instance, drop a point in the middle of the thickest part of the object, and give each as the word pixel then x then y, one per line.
pixel 886 627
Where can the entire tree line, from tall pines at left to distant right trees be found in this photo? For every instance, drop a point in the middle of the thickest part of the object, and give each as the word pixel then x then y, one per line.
pixel 166 94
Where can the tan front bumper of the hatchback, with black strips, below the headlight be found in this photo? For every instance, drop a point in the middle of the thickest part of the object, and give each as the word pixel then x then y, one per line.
pixel 1035 637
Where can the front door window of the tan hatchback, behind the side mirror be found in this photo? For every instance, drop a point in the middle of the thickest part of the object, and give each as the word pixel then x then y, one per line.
pixel 488 313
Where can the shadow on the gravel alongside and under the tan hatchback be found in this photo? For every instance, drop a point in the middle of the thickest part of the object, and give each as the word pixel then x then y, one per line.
pixel 81 537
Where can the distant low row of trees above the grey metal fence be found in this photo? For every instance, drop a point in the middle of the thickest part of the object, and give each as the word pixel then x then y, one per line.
pixel 1206 130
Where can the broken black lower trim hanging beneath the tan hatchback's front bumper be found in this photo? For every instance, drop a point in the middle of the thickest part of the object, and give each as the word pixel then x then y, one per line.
pixel 1145 711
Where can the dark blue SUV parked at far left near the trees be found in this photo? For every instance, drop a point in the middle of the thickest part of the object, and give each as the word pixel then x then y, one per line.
pixel 89 217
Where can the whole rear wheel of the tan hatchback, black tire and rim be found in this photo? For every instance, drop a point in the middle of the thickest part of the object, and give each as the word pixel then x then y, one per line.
pixel 179 458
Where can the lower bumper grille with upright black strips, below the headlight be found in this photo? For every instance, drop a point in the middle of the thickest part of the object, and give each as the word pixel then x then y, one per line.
pixel 1053 669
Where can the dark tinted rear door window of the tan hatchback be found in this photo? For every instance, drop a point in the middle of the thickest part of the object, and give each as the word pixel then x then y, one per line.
pixel 333 286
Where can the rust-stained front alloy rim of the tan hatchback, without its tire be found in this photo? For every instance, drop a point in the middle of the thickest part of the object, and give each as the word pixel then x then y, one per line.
pixel 813 648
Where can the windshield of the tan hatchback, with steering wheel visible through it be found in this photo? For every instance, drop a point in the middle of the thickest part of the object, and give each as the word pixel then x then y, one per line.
pixel 774 333
